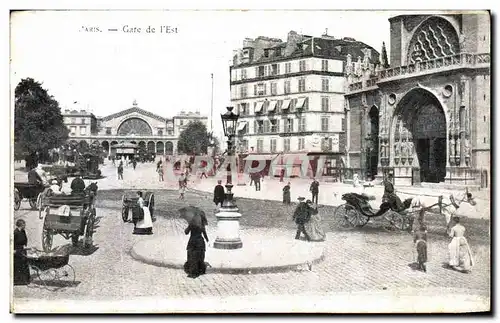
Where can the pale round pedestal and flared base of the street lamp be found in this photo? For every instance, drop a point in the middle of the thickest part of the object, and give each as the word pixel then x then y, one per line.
pixel 228 224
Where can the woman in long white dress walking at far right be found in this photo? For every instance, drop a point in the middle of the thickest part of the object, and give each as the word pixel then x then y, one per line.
pixel 460 254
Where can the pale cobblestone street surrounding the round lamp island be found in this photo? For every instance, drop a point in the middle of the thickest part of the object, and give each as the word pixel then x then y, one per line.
pixel 367 260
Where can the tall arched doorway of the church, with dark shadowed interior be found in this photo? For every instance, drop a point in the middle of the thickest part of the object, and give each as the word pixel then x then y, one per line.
pixel 419 141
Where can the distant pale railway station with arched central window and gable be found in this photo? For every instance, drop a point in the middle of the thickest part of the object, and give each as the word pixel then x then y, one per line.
pixel 157 134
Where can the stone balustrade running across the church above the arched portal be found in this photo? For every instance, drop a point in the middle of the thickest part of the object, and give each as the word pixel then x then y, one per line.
pixel 425 67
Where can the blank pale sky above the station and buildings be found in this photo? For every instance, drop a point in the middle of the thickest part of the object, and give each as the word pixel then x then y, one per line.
pixel 104 72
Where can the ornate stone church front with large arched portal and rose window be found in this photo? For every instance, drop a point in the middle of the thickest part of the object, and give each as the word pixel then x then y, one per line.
pixel 426 118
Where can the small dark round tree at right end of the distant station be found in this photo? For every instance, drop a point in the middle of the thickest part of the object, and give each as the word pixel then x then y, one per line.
pixel 193 139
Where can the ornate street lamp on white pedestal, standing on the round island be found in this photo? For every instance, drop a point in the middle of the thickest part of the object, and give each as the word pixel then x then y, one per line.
pixel 228 217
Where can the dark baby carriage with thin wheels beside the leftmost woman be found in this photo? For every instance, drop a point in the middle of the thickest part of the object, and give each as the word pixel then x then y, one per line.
pixel 50 266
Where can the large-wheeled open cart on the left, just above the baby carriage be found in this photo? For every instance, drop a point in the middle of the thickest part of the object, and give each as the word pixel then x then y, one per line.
pixel 79 221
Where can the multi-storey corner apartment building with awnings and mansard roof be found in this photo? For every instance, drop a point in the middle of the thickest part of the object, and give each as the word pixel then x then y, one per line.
pixel 290 95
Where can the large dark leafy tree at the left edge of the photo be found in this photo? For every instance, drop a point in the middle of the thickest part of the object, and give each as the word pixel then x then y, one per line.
pixel 38 123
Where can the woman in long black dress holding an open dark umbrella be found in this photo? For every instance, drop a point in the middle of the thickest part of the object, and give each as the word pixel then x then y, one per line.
pixel 195 264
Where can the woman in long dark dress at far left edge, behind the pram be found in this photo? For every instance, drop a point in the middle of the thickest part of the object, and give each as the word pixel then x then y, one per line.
pixel 21 267
